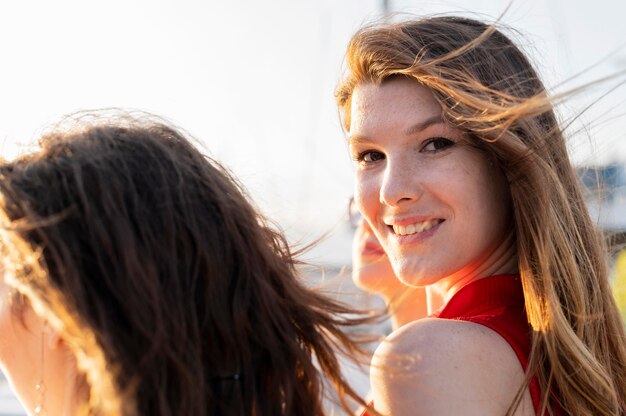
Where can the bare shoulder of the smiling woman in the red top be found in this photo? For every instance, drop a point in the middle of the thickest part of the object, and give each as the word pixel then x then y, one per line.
pixel 446 367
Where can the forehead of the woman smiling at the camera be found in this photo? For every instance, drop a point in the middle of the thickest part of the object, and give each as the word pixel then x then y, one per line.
pixel 396 103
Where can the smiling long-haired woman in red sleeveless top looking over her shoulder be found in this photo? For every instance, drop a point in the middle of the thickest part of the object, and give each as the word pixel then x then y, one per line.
pixel 464 177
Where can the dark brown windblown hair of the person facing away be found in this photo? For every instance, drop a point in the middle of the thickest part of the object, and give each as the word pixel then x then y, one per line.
pixel 174 293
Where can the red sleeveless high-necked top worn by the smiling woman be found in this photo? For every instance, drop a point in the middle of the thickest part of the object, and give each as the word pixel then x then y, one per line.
pixel 496 302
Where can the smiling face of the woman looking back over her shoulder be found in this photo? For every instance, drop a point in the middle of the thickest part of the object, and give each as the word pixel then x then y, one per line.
pixel 437 205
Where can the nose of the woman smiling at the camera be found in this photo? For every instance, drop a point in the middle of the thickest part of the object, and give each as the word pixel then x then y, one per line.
pixel 400 183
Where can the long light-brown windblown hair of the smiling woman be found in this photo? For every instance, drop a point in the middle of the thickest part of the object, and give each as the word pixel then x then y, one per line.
pixel 487 88
